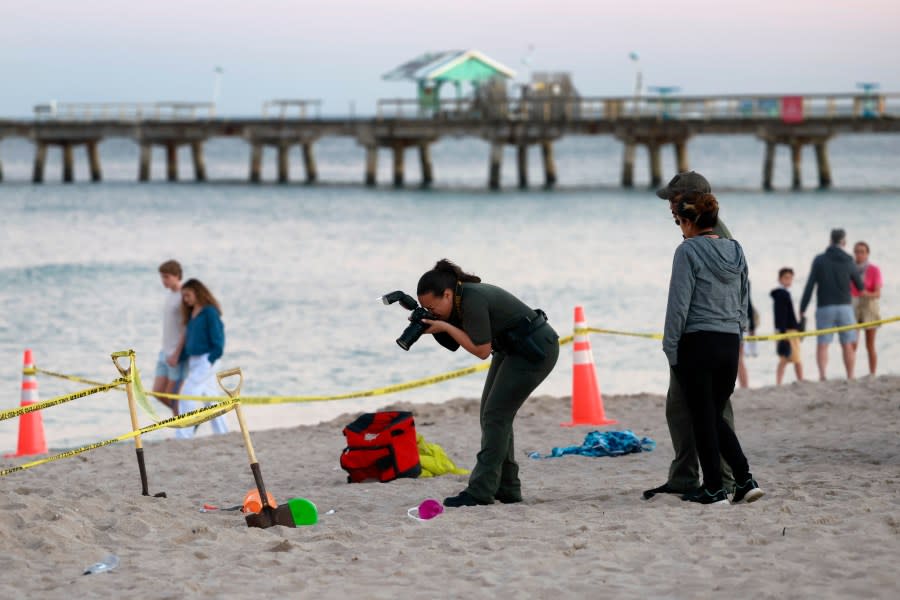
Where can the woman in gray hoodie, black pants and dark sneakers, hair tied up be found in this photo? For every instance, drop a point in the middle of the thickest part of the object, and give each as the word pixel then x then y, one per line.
pixel 706 312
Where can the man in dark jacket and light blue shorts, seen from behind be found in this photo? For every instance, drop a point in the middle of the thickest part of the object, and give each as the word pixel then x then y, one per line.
pixel 832 273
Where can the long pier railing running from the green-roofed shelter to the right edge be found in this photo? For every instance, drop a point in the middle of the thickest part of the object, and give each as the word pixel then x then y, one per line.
pixel 554 108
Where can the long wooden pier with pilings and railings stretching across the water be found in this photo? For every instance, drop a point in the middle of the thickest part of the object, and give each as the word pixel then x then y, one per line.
pixel 398 125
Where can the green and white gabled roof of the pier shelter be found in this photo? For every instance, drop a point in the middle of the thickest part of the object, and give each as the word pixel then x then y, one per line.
pixel 450 65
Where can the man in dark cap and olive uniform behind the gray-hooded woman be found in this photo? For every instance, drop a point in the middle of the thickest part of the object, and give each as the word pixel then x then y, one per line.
pixel 684 472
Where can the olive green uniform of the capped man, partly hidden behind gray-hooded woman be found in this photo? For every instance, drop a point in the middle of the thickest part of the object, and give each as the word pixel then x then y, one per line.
pixel 684 472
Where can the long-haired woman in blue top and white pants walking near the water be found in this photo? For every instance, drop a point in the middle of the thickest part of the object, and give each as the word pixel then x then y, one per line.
pixel 204 343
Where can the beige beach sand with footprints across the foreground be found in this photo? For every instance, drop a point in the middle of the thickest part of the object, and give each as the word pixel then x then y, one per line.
pixel 827 454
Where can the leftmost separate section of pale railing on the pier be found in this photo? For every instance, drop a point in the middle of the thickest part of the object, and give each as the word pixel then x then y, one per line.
pixel 124 111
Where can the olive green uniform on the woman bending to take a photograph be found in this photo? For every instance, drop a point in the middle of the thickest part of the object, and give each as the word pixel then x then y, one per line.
pixel 484 312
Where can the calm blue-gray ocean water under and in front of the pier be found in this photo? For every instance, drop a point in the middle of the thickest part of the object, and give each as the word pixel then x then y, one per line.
pixel 299 269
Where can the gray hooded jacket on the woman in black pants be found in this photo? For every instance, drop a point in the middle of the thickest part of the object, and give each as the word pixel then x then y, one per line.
pixel 708 291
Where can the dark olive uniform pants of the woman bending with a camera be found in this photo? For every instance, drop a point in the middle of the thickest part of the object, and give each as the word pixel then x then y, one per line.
pixel 510 381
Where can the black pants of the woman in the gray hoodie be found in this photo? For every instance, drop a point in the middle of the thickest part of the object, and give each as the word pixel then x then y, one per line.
pixel 706 370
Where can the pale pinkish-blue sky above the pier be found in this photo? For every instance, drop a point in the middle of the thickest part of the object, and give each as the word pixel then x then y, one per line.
pixel 336 51
